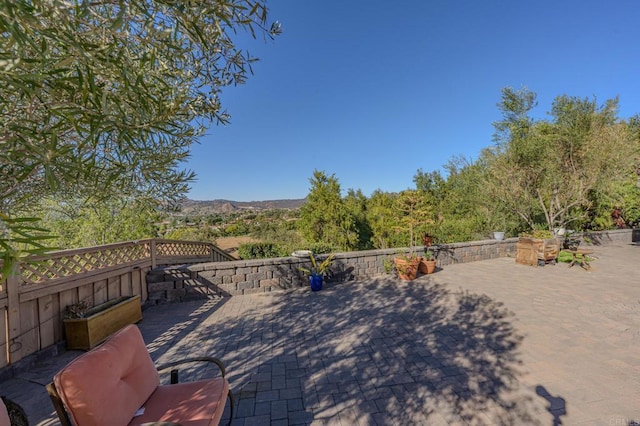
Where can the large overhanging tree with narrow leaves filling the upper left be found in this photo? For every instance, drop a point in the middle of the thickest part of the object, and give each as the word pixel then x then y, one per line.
pixel 104 98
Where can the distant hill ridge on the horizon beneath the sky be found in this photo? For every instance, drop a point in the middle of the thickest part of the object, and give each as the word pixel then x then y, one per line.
pixel 196 207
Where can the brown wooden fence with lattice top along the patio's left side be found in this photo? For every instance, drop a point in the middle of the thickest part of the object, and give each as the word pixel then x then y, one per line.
pixel 32 302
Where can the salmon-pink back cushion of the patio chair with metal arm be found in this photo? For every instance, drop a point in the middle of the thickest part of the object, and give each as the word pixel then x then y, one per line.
pixel 108 384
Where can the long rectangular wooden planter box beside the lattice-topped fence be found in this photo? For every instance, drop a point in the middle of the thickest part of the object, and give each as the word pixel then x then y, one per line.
pixel 101 322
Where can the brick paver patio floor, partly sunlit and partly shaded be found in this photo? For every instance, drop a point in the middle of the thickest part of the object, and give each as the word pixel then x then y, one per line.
pixel 488 342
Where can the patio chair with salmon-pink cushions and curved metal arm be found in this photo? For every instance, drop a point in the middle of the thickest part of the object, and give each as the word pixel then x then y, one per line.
pixel 117 383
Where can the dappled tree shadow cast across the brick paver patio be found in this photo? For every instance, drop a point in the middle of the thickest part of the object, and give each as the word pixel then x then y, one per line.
pixel 375 352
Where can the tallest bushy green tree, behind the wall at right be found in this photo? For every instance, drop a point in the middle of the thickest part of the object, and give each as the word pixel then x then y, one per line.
pixel 545 170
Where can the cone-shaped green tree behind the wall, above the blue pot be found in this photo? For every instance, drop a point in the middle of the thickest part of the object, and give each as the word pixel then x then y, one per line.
pixel 324 219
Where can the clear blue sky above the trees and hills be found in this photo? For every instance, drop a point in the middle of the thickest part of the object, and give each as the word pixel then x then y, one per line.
pixel 373 90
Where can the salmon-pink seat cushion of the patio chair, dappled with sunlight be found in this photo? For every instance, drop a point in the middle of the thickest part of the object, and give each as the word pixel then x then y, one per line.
pixel 196 403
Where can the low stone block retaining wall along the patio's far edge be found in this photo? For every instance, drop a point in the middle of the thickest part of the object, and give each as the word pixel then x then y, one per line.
pixel 263 275
